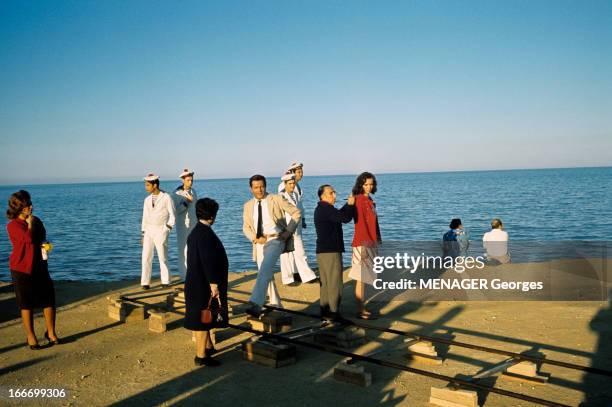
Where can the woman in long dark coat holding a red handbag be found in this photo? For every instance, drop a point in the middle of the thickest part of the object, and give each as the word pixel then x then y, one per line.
pixel 207 269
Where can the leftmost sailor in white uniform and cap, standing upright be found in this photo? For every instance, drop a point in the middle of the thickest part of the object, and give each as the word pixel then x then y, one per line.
pixel 157 222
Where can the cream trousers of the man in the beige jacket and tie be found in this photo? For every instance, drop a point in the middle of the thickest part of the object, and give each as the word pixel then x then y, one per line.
pixel 267 256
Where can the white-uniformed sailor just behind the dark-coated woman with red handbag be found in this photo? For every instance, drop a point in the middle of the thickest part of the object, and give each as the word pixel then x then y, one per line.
pixel 185 198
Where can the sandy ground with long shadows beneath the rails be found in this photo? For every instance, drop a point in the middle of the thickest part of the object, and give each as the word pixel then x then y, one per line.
pixel 110 363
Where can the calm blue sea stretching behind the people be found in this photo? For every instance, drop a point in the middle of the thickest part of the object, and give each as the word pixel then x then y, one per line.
pixel 96 227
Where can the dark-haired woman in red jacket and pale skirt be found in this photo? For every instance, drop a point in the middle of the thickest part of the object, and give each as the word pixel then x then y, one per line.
pixel 365 241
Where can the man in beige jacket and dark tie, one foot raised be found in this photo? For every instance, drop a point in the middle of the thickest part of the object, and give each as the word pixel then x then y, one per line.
pixel 264 224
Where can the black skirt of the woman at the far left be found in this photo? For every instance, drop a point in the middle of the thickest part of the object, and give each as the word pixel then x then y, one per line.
pixel 34 290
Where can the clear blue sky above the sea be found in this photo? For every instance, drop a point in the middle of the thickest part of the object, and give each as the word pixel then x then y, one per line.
pixel 105 90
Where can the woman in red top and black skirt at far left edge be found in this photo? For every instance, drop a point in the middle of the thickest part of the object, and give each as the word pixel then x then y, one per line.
pixel 28 265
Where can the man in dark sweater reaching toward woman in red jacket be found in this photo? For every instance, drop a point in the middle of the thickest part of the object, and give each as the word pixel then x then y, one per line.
pixel 330 246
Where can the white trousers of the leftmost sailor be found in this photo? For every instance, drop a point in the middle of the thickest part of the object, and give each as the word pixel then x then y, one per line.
pixel 155 238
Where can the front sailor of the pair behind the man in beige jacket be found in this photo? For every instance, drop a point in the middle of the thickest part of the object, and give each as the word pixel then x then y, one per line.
pixel 295 261
